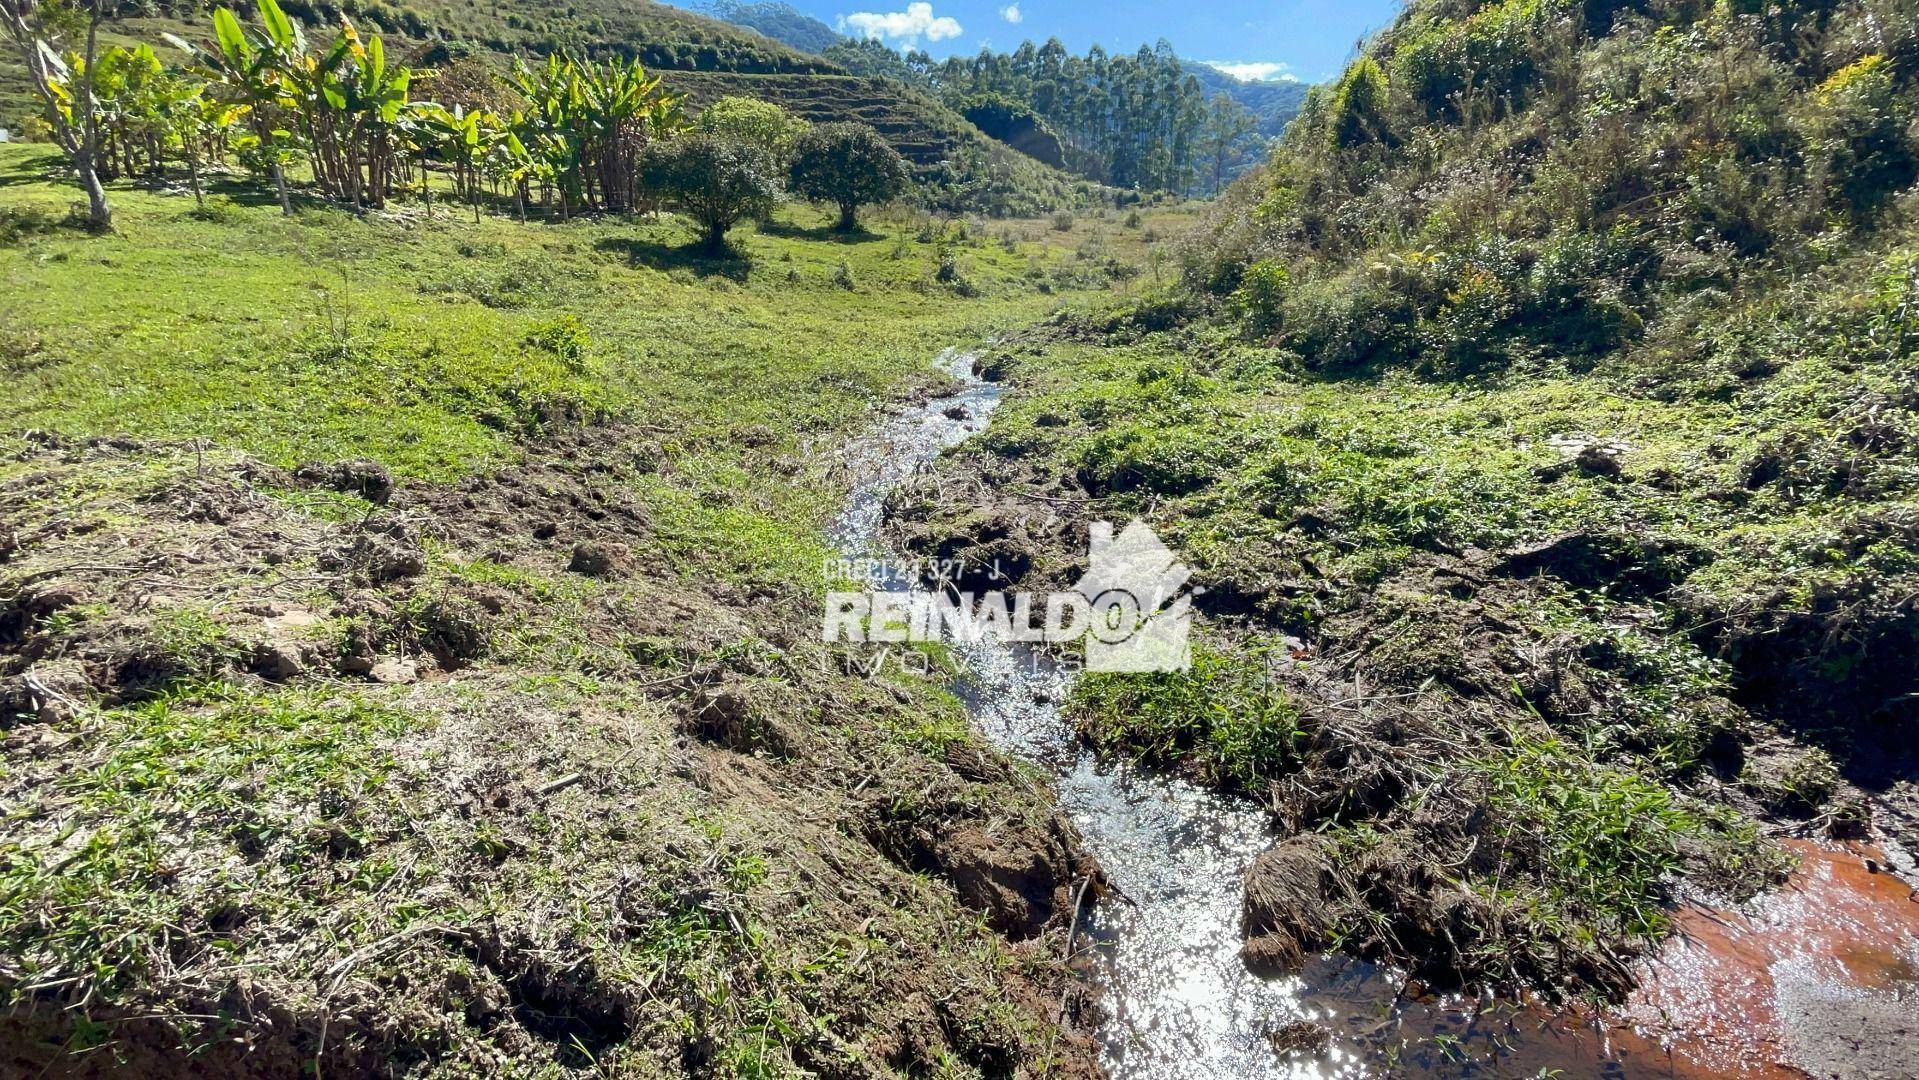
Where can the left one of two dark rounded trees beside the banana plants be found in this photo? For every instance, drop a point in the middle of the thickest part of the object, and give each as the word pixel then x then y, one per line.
pixel 717 181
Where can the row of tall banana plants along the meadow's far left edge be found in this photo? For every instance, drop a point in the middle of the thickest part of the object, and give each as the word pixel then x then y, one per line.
pixel 346 112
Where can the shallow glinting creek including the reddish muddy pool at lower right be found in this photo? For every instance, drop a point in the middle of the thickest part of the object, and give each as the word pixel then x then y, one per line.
pixel 1166 947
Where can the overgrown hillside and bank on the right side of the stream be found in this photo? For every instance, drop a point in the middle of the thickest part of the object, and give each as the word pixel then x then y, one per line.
pixel 1542 423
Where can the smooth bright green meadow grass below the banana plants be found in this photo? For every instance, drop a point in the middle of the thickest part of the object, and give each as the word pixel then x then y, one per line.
pixel 423 344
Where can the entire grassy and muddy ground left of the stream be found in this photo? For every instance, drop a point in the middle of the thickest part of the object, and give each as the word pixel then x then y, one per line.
pixel 511 747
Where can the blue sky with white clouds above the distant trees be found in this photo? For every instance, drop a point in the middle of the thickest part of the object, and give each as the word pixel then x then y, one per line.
pixel 1302 39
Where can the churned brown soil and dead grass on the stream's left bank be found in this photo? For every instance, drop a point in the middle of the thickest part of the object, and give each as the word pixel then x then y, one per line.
pixel 604 759
